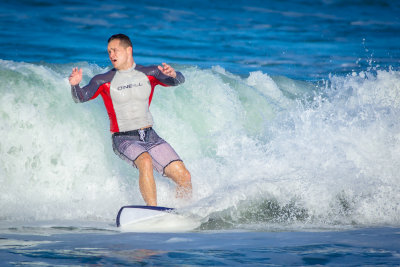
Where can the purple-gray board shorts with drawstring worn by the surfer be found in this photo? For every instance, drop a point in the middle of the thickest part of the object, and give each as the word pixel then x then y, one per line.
pixel 131 144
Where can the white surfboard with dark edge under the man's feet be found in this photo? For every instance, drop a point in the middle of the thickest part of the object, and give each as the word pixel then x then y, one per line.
pixel 153 219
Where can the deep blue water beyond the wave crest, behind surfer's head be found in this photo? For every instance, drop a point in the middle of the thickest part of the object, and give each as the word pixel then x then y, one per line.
pixel 300 39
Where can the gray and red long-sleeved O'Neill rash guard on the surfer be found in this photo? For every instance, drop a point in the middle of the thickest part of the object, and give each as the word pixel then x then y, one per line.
pixel 127 94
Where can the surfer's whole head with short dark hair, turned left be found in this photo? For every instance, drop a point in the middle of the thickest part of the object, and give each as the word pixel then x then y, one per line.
pixel 120 51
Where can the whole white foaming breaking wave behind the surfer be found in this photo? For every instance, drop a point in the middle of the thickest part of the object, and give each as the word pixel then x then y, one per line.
pixel 261 149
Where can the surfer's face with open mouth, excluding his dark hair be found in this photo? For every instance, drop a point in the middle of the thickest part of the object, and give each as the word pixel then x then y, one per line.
pixel 119 55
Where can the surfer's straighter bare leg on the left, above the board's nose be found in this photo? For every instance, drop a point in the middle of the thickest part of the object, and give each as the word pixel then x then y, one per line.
pixel 147 184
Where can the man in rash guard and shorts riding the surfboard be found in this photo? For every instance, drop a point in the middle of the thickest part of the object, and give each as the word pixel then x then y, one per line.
pixel 127 91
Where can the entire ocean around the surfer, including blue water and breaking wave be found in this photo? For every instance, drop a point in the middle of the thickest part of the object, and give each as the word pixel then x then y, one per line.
pixel 288 122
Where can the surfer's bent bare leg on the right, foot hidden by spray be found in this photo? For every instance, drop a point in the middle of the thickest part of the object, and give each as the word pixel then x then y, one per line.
pixel 181 176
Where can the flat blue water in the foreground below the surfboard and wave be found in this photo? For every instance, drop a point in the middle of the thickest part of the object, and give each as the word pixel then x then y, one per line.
pixel 370 247
